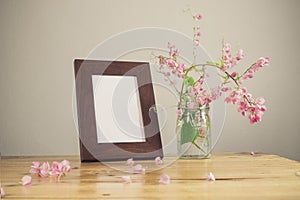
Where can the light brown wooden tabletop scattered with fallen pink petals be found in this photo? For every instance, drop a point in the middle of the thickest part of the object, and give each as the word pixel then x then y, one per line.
pixel 238 176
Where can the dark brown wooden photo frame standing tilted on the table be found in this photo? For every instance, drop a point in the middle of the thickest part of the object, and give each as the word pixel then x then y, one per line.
pixel 91 149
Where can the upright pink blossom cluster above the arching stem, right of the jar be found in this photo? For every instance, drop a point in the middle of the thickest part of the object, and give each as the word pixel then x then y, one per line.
pixel 228 60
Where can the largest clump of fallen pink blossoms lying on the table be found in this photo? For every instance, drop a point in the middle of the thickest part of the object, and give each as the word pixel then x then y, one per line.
pixel 57 169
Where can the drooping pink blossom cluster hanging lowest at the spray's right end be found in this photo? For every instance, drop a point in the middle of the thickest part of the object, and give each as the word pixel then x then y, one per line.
pixel 247 106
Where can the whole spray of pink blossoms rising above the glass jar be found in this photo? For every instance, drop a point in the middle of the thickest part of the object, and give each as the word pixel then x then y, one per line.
pixel 195 94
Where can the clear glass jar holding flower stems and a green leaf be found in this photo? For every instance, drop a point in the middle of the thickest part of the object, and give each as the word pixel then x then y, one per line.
pixel 194 132
